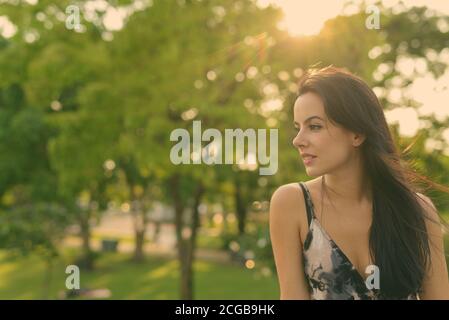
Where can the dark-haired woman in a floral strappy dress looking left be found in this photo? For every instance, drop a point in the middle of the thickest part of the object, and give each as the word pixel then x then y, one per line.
pixel 360 229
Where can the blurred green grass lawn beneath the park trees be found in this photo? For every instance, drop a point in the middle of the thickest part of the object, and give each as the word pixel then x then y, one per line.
pixel 157 278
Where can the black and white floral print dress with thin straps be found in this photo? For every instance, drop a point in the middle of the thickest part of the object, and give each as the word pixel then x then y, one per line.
pixel 329 272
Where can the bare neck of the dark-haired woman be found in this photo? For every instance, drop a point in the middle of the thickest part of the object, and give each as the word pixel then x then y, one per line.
pixel 349 183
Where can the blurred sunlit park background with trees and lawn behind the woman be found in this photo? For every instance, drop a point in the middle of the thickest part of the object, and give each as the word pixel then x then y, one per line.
pixel 91 90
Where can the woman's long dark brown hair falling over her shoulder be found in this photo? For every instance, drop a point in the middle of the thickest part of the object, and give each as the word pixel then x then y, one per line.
pixel 399 243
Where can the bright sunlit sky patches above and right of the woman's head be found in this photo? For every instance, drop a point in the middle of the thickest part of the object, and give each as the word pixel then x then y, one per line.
pixel 308 17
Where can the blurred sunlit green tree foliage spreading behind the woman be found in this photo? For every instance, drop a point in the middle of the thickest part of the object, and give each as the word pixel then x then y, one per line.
pixel 85 117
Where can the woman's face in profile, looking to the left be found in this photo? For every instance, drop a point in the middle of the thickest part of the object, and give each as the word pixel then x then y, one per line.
pixel 323 146
